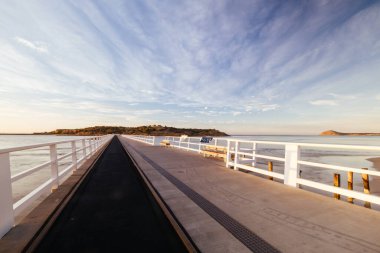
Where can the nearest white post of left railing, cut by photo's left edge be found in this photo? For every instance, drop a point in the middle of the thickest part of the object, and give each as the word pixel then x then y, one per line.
pixel 6 202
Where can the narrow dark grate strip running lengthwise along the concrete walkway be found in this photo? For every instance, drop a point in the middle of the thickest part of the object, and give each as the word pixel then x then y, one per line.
pixel 243 234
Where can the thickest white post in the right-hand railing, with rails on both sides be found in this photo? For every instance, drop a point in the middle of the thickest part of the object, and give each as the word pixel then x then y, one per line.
pixel 292 153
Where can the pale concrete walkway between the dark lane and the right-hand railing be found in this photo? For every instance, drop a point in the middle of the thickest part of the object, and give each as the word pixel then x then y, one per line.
pixel 284 218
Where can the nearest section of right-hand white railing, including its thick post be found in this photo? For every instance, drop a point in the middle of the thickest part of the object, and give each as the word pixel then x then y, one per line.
pixel 289 154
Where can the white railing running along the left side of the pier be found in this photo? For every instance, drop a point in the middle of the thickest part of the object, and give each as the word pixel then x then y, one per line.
pixel 81 149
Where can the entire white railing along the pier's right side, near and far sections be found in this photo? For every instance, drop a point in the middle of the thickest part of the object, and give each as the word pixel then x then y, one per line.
pixel 243 154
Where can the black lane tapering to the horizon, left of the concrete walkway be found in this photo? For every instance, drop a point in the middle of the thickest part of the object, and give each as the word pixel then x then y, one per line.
pixel 112 211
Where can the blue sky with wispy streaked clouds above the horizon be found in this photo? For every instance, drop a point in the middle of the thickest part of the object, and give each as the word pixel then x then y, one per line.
pixel 243 67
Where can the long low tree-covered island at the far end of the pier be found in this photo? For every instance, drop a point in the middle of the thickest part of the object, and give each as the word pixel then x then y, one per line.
pixel 156 130
